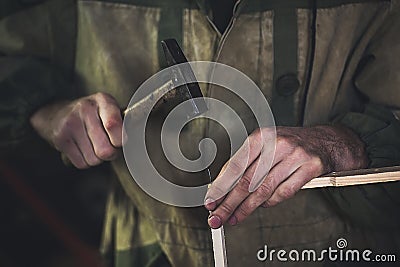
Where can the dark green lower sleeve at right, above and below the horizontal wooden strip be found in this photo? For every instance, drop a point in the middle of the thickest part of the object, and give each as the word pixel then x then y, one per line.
pixel 372 206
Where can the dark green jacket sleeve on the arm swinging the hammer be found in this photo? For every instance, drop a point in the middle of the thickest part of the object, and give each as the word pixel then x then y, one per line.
pixel 32 73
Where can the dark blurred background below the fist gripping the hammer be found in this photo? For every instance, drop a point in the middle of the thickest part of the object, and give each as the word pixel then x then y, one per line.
pixel 51 214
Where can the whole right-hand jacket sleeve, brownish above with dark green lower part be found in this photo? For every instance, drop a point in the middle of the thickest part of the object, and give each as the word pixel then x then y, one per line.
pixel 376 206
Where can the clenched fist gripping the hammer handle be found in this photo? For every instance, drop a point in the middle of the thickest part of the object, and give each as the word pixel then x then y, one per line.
pixel 87 130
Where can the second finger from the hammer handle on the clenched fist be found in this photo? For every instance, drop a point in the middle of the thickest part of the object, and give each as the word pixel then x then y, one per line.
pixel 101 144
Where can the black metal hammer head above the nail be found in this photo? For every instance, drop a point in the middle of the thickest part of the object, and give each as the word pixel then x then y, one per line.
pixel 174 56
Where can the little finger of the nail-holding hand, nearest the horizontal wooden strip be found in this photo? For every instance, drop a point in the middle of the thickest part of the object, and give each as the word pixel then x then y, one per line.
pixel 289 187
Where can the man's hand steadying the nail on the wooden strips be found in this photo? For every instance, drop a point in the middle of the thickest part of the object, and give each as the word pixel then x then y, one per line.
pixel 302 153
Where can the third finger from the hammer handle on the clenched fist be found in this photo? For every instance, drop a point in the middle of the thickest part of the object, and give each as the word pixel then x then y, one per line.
pixel 85 146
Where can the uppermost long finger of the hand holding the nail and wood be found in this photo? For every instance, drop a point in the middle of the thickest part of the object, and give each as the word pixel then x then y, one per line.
pixel 235 167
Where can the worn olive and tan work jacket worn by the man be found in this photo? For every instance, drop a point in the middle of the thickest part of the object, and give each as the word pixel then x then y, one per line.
pixel 316 62
